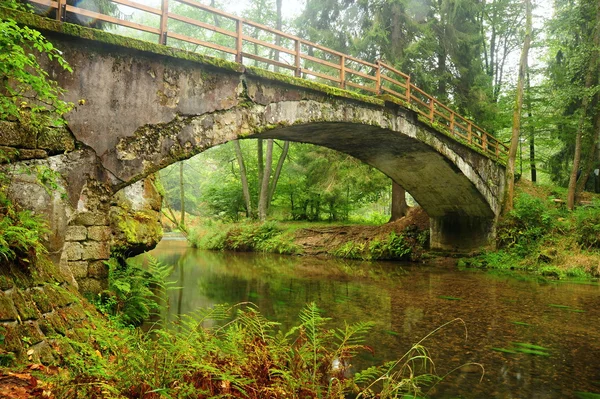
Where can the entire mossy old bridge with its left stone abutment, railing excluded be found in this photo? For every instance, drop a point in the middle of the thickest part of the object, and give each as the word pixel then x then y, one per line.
pixel 141 107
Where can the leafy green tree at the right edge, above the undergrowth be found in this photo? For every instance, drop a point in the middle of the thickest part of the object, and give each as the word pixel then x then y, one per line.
pixel 573 76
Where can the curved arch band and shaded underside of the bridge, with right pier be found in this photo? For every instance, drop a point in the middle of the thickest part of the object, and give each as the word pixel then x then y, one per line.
pixel 455 185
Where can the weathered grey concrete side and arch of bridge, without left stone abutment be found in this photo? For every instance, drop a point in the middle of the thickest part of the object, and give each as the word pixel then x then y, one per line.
pixel 145 109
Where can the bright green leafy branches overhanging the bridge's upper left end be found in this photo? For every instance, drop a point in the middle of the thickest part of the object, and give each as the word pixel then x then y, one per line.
pixel 28 93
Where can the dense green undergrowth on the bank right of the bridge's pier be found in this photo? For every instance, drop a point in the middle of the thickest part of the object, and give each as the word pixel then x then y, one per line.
pixel 541 236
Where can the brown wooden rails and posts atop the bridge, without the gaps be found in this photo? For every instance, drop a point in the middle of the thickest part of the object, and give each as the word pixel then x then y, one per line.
pixel 376 80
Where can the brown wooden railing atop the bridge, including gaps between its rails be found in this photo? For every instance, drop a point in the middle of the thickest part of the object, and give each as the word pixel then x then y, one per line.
pixel 239 39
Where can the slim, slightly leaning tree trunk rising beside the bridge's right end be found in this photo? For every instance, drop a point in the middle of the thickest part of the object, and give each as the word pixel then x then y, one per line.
pixel 516 129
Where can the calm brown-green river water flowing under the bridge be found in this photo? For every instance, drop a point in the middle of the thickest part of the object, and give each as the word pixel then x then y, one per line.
pixel 407 302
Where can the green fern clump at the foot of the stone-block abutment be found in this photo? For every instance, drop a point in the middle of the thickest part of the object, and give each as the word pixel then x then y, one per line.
pixel 133 294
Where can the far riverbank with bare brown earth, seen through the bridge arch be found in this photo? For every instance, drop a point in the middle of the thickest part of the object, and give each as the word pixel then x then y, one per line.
pixel 404 239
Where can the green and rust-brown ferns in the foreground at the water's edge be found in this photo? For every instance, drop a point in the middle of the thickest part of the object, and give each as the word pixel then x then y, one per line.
pixel 240 353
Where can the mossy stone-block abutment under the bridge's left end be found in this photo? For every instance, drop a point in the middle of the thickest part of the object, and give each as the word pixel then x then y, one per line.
pixel 88 223
